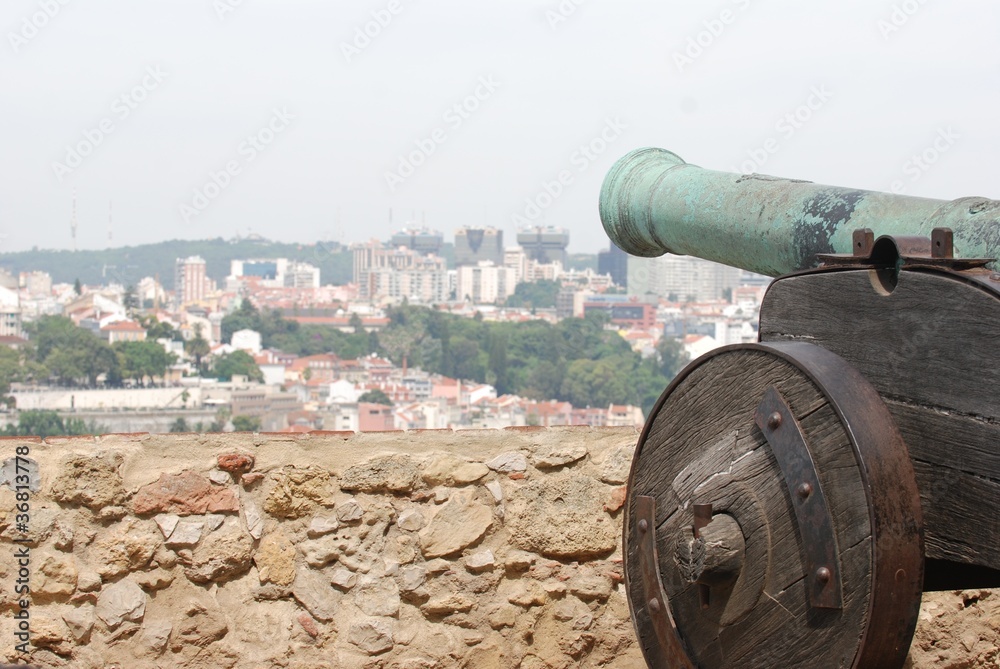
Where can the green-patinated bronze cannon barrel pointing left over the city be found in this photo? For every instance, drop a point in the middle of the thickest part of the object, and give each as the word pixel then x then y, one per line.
pixel 652 202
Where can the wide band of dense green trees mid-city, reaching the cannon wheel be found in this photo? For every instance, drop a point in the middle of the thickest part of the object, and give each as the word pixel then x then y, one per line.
pixel 576 360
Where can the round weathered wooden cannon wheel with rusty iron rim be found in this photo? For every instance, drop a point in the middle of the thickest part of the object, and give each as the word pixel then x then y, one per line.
pixel 773 518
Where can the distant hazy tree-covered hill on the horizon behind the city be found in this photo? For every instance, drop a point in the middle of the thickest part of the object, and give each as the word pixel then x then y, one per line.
pixel 127 265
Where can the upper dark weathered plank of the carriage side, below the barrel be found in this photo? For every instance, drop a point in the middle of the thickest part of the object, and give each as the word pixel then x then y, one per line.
pixel 932 341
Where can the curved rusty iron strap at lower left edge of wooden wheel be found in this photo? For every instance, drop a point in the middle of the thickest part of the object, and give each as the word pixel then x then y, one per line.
pixel 657 606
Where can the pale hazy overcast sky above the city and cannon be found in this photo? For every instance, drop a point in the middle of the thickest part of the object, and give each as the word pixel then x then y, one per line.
pixel 303 119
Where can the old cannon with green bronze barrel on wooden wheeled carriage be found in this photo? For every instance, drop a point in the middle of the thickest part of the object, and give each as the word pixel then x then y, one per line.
pixel 790 500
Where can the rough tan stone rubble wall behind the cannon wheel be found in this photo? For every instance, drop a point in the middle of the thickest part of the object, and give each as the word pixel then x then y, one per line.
pixel 481 549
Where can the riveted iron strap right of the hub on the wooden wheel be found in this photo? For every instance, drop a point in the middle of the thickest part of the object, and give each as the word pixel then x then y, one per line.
pixel 819 542
